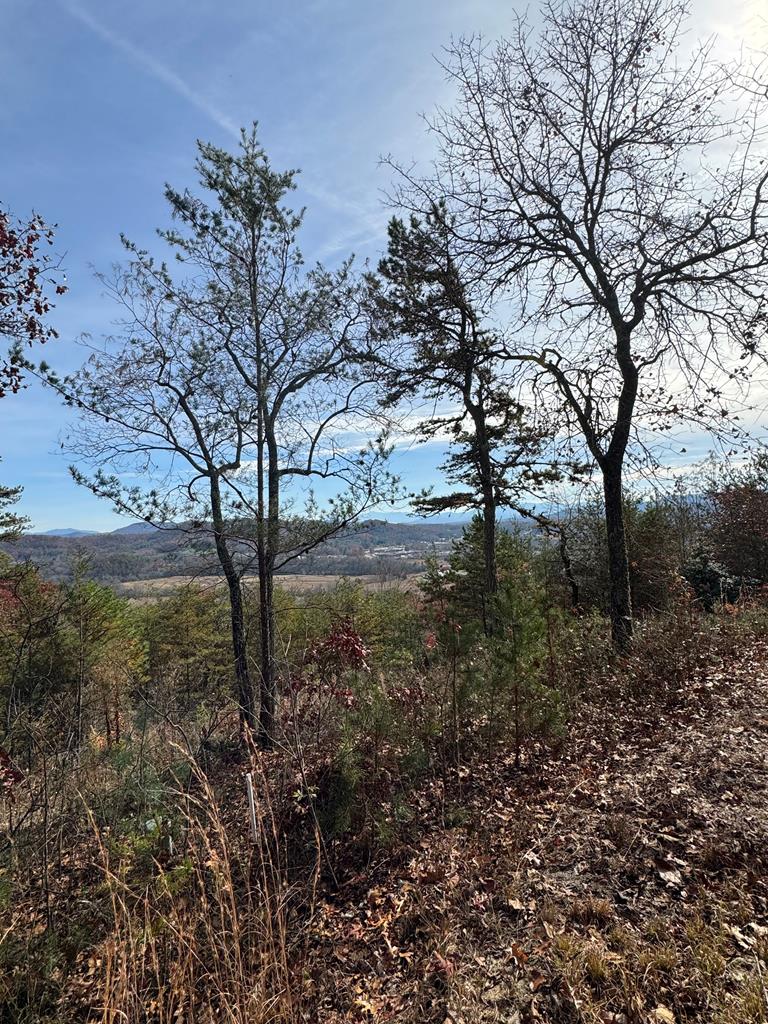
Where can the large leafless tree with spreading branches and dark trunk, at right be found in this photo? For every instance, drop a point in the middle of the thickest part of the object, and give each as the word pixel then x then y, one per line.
pixel 617 188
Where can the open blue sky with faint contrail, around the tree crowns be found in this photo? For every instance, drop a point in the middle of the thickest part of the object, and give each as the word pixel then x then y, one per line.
pixel 103 103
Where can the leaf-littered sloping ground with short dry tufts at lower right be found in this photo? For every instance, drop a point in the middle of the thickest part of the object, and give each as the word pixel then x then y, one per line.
pixel 624 882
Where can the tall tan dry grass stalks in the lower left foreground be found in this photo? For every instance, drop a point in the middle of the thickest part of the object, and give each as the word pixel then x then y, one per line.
pixel 209 938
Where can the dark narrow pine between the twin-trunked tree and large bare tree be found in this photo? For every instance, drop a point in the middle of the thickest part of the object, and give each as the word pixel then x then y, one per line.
pixel 436 310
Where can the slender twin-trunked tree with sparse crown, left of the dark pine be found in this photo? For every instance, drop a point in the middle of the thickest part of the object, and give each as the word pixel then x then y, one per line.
pixel 235 379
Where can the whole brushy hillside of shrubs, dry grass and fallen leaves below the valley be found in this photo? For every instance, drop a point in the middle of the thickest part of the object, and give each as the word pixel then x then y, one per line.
pixel 451 827
